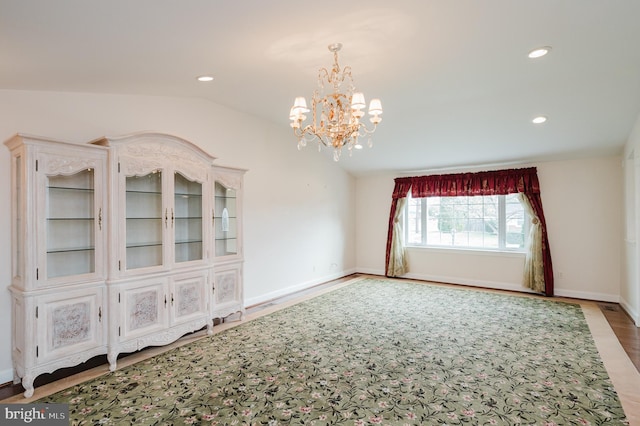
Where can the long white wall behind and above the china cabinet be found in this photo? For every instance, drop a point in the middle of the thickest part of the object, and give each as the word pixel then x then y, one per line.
pixel 299 211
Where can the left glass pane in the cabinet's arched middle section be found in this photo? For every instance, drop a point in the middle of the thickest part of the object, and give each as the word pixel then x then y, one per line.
pixel 144 218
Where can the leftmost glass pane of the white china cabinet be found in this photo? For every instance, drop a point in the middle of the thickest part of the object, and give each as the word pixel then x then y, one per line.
pixel 70 204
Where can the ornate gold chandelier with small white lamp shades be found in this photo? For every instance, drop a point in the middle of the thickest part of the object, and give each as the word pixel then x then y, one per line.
pixel 336 111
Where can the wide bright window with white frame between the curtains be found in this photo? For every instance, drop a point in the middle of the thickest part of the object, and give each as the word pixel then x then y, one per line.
pixel 492 222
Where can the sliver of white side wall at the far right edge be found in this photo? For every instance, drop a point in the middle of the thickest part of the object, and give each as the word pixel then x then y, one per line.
pixel 630 288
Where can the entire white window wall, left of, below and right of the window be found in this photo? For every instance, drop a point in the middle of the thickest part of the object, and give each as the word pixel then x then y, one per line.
pixel 582 202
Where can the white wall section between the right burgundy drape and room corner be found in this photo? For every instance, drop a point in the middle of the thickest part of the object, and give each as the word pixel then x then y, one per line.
pixel 583 201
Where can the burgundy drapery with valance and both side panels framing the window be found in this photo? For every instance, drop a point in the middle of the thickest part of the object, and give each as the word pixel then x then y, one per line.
pixel 499 182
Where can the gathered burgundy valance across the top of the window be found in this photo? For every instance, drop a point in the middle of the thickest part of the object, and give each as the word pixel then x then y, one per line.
pixel 500 182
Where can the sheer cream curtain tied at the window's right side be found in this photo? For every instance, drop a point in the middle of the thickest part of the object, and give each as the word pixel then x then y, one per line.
pixel 534 263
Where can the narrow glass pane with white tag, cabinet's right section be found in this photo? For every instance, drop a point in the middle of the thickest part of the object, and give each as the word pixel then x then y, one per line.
pixel 225 219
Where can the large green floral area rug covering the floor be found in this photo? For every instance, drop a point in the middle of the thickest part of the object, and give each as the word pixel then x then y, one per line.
pixel 373 352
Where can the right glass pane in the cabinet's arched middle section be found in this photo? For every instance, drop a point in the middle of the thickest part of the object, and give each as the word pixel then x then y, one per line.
pixel 188 231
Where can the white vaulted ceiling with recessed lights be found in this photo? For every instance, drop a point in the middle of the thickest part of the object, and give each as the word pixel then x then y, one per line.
pixel 454 78
